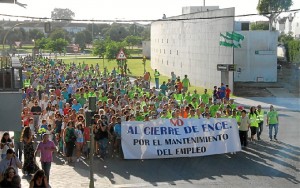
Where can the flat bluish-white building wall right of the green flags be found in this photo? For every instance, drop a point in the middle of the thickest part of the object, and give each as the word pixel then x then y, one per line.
pixel 256 61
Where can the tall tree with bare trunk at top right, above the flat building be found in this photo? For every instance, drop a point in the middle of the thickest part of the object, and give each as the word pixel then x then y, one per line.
pixel 272 8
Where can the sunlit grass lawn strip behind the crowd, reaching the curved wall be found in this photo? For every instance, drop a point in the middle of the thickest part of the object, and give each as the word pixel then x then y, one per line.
pixel 135 66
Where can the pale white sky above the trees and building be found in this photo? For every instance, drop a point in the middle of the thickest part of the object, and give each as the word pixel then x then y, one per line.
pixel 127 9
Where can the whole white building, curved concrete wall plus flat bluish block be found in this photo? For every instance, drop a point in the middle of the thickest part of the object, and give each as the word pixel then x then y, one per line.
pixel 188 45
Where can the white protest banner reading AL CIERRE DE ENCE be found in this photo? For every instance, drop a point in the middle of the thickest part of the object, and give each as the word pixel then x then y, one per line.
pixel 171 138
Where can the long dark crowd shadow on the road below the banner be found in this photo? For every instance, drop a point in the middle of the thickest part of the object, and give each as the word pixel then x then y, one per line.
pixel 270 159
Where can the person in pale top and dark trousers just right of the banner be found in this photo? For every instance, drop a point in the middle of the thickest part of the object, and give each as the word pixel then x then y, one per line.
pixel 244 125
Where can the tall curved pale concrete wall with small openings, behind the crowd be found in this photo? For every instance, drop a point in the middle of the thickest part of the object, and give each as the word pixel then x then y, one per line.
pixel 192 46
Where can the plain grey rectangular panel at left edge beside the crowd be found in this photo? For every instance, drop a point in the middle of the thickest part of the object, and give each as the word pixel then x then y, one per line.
pixel 10 111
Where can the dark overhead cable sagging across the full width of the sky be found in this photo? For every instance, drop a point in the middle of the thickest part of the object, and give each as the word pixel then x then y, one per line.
pixel 126 21
